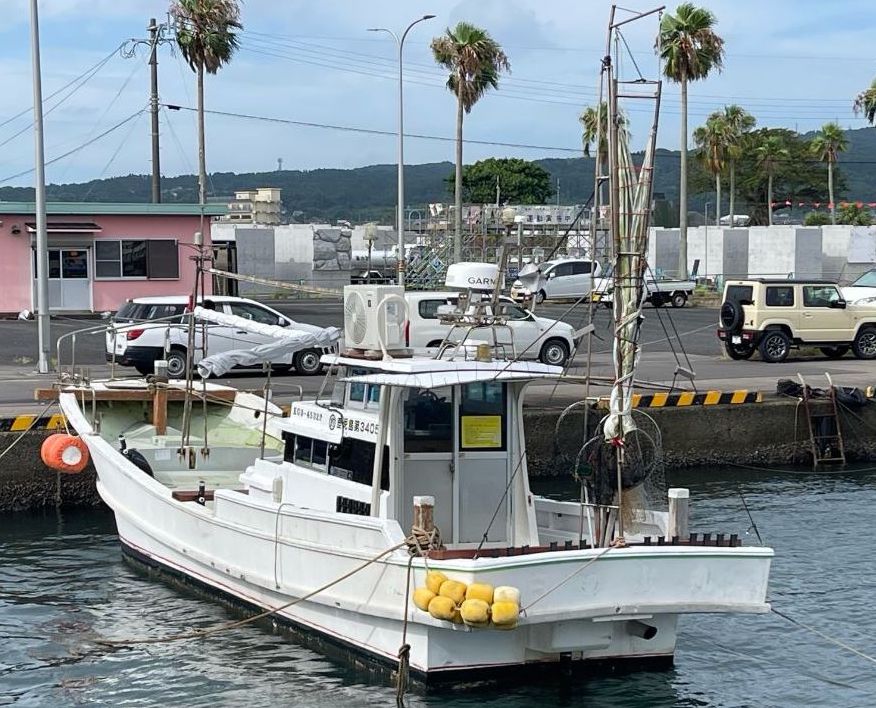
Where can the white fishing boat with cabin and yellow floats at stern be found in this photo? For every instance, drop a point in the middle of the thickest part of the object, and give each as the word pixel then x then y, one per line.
pixel 314 512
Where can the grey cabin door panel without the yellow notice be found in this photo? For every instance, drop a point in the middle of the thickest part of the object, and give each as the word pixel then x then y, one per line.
pixel 427 467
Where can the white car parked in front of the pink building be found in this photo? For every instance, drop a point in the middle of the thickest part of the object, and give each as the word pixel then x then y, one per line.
pixel 143 327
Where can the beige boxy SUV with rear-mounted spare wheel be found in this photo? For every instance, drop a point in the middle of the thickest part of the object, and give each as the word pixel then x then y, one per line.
pixel 772 316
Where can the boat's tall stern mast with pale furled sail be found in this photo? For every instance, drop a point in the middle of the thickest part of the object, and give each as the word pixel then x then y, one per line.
pixel 630 206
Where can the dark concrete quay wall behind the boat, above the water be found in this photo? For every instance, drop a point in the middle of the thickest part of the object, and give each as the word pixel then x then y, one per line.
pixel 768 434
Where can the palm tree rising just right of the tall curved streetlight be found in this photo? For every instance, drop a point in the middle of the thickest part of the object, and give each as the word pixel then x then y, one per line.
pixel 475 61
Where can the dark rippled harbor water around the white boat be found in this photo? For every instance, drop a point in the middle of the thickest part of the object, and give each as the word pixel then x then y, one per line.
pixel 63 583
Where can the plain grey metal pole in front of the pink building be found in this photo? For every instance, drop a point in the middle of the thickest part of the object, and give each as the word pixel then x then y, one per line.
pixel 42 250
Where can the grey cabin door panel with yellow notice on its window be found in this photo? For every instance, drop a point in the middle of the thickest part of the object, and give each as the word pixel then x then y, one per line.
pixel 482 467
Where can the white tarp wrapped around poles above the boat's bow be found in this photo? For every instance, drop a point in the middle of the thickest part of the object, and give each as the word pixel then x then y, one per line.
pixel 283 341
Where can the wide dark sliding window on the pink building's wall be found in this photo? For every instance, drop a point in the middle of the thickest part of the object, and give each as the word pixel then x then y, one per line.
pixel 140 258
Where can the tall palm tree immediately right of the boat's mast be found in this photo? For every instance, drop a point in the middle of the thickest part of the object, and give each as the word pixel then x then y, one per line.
pixel 690 50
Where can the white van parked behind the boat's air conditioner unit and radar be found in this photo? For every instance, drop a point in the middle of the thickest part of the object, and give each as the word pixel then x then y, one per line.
pixel 549 341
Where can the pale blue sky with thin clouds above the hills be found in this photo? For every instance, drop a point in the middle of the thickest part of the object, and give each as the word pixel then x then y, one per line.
pixel 792 63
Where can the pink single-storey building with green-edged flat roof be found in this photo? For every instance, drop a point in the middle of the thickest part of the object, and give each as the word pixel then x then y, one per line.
pixel 100 254
